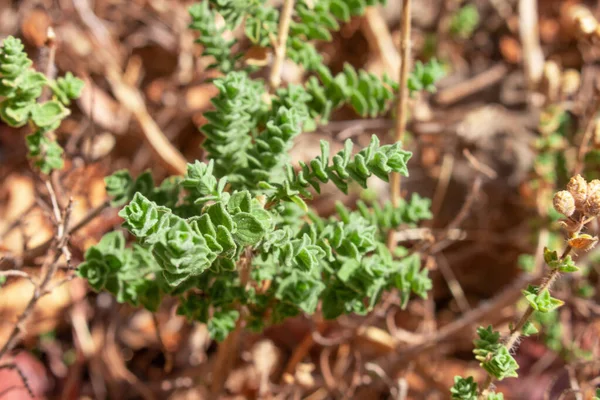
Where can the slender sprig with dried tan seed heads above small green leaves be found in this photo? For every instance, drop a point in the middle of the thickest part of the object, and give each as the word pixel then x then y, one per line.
pixel 579 205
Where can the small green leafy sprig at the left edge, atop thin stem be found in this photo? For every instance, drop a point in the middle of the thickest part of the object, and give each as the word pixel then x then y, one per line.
pixel 21 88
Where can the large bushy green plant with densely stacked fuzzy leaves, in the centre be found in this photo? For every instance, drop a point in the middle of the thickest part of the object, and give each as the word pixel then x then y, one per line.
pixel 234 238
